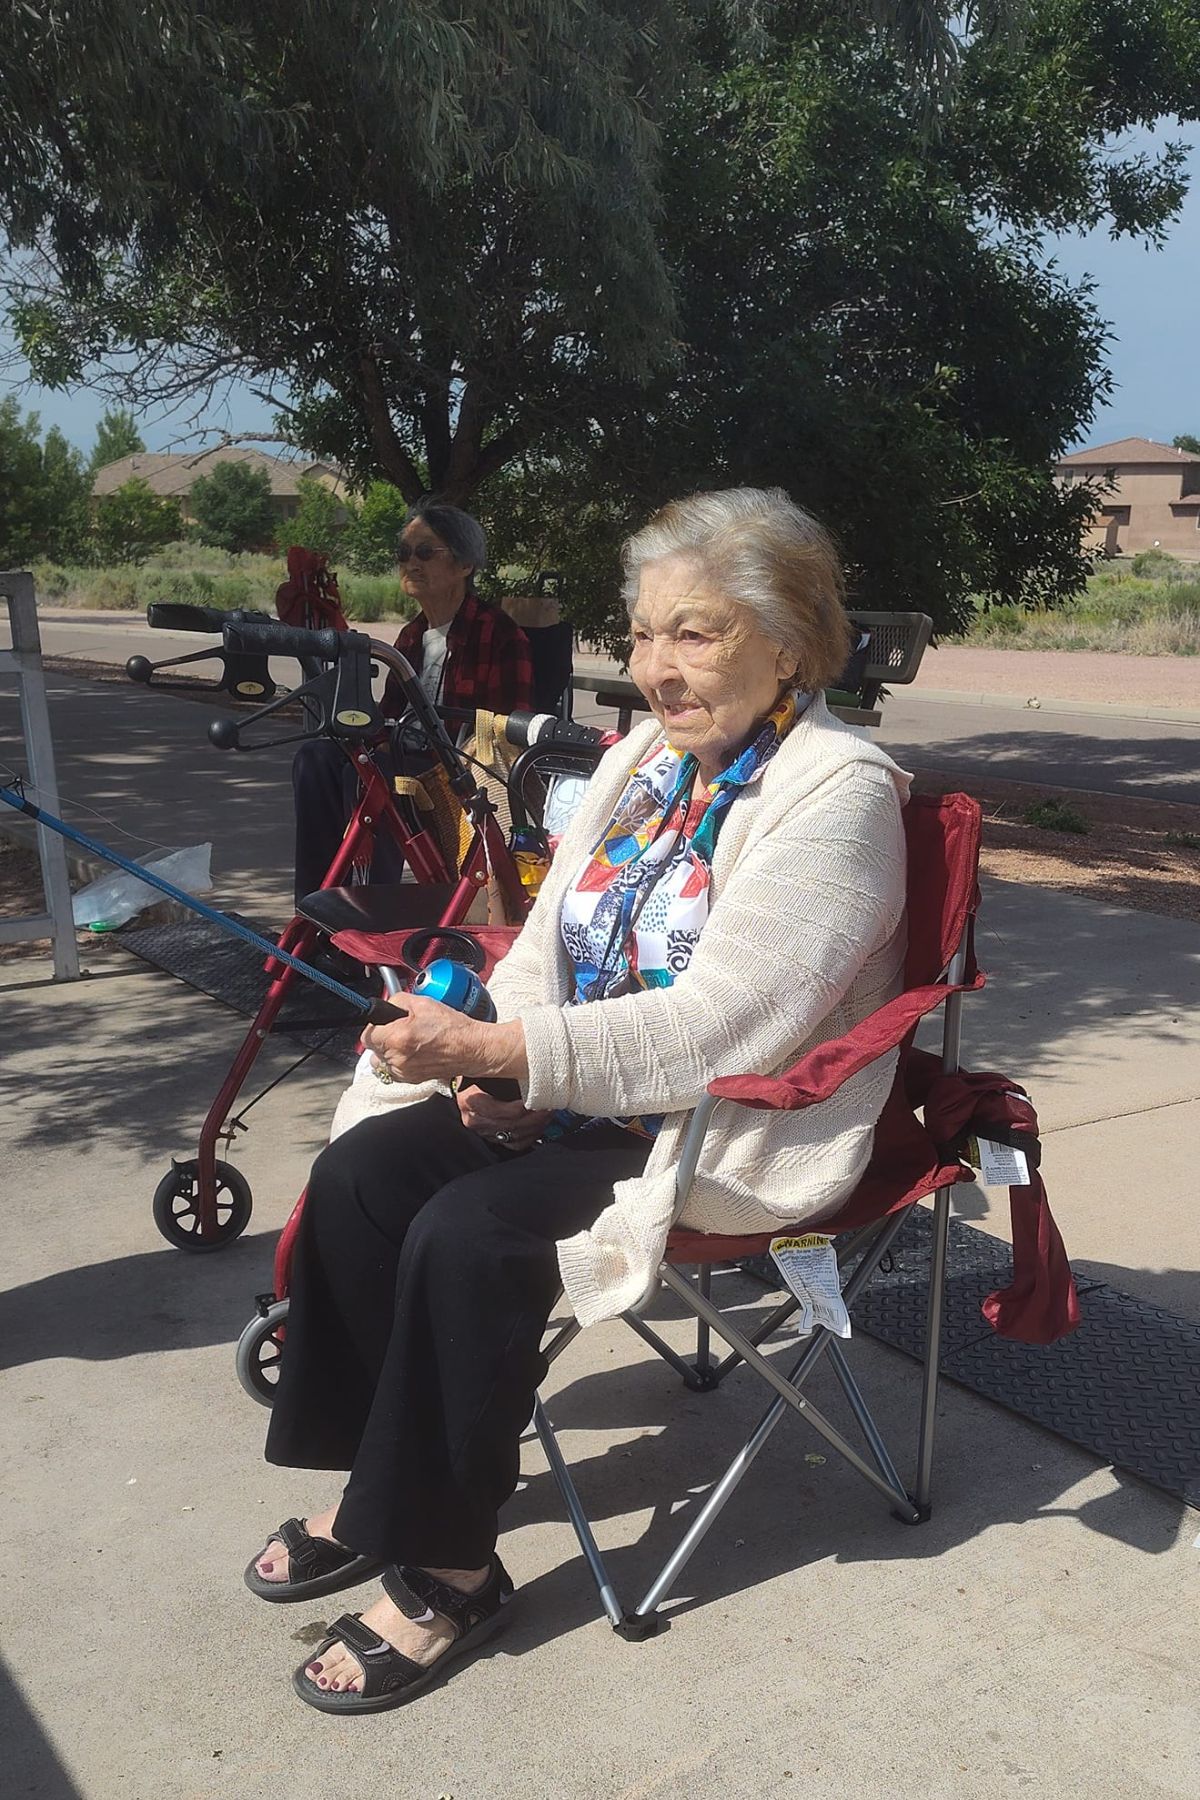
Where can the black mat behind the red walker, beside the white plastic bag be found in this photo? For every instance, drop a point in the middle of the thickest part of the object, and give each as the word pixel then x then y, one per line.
pixel 231 971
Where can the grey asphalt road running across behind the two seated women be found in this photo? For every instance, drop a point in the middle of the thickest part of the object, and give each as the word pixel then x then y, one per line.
pixel 1091 753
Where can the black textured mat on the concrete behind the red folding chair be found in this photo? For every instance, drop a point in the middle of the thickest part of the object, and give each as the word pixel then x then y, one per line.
pixel 1125 1385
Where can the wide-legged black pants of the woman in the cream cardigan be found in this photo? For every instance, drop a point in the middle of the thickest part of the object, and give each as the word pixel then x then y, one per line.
pixel 422 1284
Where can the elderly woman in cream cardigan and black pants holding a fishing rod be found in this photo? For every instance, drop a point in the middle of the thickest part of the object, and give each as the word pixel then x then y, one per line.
pixel 730 895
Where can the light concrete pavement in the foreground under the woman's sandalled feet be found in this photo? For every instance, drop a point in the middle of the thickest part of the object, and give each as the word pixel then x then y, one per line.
pixel 816 1648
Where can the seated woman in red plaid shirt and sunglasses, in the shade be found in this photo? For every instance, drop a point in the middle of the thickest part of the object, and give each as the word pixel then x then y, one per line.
pixel 467 652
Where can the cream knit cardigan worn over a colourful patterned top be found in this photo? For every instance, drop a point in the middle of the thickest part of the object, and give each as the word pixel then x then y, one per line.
pixel 803 940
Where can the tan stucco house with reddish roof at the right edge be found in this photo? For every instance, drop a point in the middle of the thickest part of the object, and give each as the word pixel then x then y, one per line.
pixel 1152 498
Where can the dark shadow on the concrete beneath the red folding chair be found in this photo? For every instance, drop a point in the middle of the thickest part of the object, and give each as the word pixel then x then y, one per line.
pixel 793 1513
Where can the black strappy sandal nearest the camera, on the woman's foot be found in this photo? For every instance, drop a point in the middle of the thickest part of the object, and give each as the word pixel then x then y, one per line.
pixel 390 1677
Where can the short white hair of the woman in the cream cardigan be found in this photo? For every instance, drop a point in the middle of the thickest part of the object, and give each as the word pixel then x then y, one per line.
pixel 762 552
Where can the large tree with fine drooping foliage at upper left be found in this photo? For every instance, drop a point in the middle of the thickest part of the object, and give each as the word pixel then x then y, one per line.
pixel 433 228
